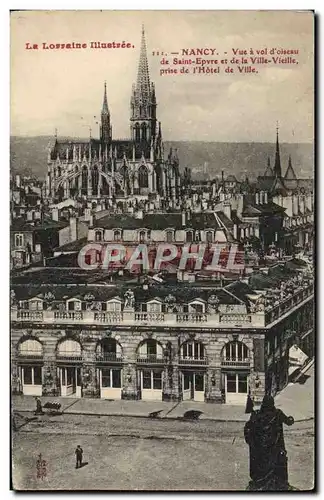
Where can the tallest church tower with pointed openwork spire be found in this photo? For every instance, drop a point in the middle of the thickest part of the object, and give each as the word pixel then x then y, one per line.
pixel 143 101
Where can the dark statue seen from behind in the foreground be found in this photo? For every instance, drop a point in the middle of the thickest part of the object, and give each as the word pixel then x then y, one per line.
pixel 268 457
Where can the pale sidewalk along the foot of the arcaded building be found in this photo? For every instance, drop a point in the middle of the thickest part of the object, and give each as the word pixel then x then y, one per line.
pixel 296 400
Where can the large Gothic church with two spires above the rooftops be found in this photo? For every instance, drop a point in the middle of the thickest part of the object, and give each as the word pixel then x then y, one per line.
pixel 106 168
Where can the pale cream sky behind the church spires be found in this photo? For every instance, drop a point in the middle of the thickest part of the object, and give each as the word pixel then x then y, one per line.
pixel 63 89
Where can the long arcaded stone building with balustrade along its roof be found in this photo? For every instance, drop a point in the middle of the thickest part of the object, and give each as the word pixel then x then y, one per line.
pixel 159 342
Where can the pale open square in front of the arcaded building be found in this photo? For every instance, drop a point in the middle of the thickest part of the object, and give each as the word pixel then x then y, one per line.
pixel 124 453
